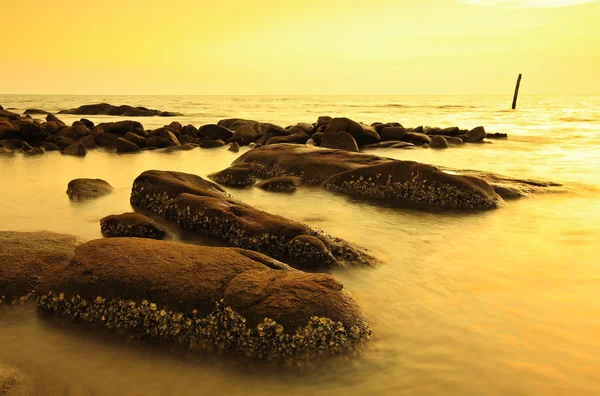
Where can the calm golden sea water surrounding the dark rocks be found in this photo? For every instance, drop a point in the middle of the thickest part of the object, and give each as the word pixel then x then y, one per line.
pixel 496 303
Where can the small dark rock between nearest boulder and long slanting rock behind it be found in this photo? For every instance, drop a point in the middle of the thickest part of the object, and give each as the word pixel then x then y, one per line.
pixel 131 225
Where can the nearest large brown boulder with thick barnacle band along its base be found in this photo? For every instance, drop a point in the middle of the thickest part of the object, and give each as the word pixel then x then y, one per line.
pixel 205 297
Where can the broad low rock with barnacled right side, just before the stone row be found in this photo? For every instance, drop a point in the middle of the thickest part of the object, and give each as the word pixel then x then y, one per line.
pixel 404 183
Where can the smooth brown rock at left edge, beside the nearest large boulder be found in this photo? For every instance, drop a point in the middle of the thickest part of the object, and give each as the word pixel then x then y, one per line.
pixel 24 256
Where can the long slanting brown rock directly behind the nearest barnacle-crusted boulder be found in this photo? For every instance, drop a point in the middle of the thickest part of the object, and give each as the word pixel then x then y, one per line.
pixel 199 207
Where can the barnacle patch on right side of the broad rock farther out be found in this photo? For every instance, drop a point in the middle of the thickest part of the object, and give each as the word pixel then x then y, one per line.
pixel 417 190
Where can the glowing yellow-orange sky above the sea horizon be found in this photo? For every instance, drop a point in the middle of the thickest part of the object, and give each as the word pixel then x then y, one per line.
pixel 309 47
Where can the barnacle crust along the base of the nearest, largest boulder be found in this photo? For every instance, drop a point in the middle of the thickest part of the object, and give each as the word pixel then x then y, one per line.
pixel 222 330
